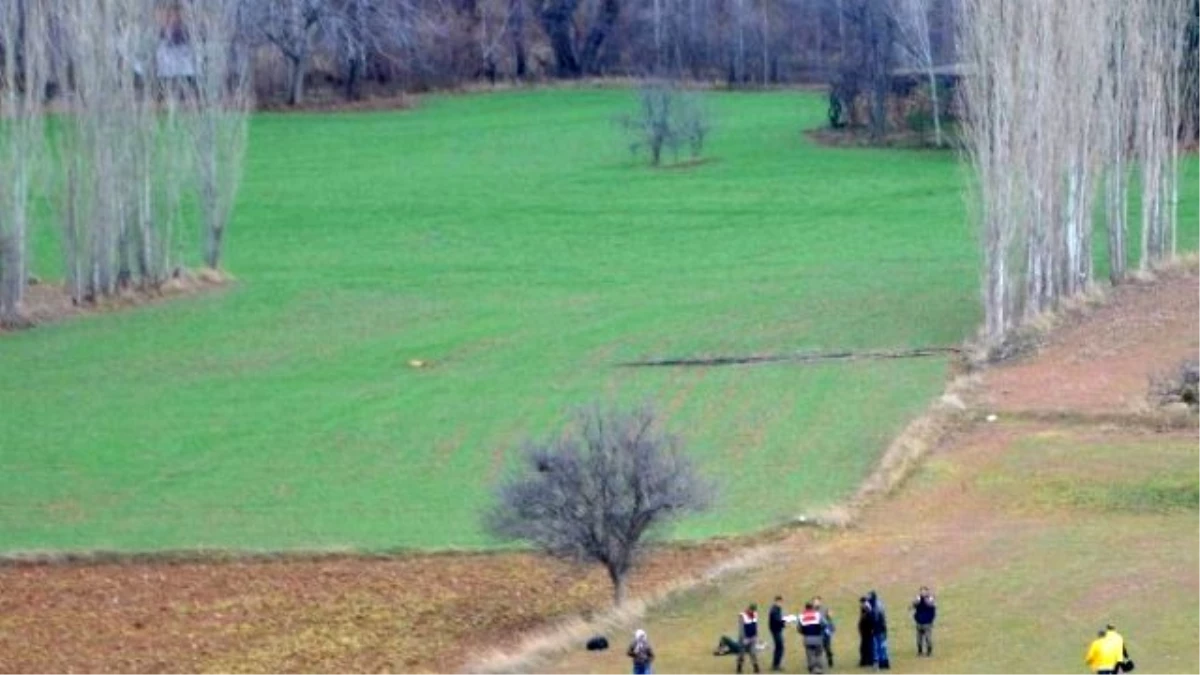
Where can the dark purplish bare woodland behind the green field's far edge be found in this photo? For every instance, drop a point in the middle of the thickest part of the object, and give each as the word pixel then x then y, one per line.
pixel 416 45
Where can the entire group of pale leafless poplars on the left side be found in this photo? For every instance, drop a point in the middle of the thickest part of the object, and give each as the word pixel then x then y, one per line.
pixel 124 124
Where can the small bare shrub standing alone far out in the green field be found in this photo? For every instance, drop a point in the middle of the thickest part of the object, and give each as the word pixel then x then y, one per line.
pixel 668 120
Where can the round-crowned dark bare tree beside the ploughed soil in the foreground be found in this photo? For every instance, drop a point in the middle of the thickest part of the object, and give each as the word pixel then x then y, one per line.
pixel 598 493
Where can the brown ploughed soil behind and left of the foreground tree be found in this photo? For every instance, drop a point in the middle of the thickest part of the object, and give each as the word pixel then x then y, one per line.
pixel 413 614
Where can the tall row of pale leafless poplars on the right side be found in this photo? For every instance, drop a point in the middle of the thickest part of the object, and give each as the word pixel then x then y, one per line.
pixel 1076 114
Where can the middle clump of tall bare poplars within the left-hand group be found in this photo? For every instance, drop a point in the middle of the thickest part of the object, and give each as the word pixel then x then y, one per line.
pixel 112 148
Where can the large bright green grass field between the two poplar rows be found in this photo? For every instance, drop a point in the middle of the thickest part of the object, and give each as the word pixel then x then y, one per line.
pixel 512 242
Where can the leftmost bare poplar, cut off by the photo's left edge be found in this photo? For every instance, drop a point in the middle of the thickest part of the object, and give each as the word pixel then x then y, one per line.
pixel 23 76
